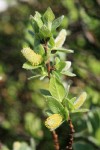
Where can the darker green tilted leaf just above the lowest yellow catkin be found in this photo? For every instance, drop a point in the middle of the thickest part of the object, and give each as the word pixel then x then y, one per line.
pixel 55 106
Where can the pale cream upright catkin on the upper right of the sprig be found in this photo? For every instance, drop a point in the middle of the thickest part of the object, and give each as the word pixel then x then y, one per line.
pixel 60 39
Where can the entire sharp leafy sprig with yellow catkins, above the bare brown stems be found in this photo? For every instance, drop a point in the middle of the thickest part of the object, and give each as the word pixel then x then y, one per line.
pixel 44 59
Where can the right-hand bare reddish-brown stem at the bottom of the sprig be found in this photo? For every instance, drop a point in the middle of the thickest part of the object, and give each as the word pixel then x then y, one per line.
pixel 70 136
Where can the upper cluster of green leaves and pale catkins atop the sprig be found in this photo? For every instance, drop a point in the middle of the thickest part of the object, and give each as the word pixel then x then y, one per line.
pixel 45 45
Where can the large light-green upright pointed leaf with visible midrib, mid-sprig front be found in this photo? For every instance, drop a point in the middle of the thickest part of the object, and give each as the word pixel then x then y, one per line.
pixel 57 89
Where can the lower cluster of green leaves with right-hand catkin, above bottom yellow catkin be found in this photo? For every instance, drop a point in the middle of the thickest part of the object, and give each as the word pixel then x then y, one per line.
pixel 58 100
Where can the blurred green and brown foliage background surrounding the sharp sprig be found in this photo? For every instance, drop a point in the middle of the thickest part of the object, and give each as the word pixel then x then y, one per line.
pixel 21 104
